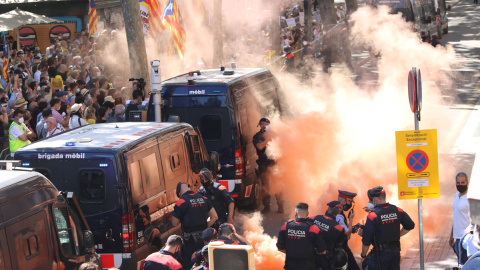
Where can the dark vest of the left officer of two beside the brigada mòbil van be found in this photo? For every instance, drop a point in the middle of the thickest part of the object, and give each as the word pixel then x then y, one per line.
pixel 195 218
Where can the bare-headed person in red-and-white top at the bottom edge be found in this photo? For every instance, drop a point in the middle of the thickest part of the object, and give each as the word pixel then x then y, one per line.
pixel 165 258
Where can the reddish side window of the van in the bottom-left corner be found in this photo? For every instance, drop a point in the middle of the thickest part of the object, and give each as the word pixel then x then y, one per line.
pixel 28 239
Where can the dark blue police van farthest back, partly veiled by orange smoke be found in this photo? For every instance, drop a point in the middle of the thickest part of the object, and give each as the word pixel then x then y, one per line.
pixel 226 106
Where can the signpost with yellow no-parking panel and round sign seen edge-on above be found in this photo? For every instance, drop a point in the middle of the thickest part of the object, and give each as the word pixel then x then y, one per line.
pixel 417 158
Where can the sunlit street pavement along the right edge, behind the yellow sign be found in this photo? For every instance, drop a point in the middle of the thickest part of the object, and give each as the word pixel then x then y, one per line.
pixel 464 36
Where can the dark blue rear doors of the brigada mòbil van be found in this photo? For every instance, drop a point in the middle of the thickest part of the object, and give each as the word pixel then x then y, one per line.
pixel 92 177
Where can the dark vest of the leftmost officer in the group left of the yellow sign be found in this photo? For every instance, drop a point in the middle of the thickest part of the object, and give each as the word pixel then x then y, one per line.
pixel 299 242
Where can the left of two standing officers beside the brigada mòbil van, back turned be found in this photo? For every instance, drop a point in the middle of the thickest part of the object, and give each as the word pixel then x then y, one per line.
pixel 192 211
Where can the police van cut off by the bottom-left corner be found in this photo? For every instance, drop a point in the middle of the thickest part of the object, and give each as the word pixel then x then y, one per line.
pixel 39 227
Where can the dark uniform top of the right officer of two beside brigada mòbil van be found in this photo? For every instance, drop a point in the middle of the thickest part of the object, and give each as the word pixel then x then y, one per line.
pixel 220 198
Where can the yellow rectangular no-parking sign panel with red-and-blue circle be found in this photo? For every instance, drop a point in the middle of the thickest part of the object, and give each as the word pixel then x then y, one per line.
pixel 417 164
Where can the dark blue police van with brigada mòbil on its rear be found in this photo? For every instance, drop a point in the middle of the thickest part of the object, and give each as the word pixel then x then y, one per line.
pixel 124 176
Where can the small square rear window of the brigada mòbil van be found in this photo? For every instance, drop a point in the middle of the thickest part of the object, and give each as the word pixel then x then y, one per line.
pixel 92 185
